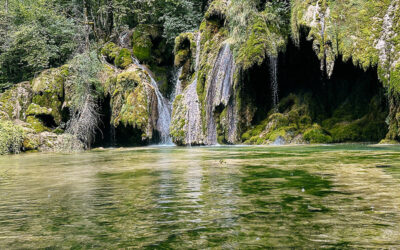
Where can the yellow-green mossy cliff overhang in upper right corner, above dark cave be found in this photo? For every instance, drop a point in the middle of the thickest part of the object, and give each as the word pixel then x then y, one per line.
pixel 367 32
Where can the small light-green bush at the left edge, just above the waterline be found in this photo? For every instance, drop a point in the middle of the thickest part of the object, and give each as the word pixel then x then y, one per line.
pixel 11 137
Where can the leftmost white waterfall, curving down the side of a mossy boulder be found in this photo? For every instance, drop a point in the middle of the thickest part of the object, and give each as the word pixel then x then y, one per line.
pixel 163 108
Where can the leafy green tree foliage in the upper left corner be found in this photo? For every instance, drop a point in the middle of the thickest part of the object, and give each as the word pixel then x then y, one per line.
pixel 37 38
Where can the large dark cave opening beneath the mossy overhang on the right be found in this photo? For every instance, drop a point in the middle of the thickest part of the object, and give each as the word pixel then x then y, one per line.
pixel 351 101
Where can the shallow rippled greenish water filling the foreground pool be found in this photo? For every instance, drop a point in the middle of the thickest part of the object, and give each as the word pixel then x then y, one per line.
pixel 211 197
